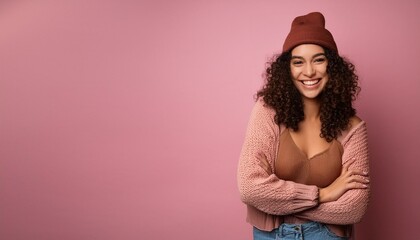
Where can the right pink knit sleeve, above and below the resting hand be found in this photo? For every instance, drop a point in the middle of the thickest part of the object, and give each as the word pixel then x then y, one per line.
pixel 350 207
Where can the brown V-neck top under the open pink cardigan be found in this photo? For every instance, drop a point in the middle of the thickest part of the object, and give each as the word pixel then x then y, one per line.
pixel 321 170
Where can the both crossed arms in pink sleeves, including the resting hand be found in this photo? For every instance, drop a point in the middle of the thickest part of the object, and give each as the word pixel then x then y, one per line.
pixel 342 202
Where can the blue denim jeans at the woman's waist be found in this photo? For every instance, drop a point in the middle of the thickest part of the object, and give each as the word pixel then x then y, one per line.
pixel 306 231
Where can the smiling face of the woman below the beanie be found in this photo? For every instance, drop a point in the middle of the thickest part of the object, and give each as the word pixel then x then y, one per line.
pixel 309 69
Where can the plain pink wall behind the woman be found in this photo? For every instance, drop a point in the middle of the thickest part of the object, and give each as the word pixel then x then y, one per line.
pixel 125 119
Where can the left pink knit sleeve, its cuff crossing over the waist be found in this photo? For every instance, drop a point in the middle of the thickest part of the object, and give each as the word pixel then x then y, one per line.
pixel 257 188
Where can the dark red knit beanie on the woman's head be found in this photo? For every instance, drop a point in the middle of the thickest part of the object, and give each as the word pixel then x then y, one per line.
pixel 309 28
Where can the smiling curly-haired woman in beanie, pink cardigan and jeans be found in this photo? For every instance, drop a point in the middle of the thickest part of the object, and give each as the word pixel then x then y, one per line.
pixel 303 169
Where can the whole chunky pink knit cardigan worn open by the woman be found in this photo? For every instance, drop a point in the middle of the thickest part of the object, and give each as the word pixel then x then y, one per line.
pixel 268 198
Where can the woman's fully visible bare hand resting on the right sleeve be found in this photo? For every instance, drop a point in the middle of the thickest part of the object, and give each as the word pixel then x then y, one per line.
pixel 349 179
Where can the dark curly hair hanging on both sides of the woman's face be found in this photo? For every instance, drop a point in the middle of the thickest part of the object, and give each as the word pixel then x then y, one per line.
pixel 336 99
